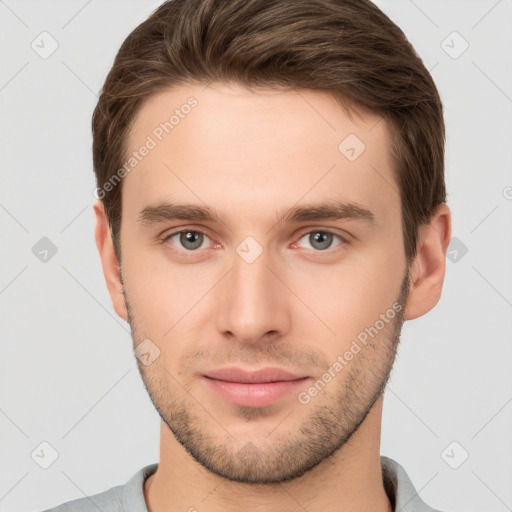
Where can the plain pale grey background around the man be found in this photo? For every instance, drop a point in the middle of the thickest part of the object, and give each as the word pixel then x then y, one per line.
pixel 68 374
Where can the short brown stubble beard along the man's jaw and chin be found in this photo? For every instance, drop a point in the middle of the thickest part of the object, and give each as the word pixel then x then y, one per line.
pixel 331 418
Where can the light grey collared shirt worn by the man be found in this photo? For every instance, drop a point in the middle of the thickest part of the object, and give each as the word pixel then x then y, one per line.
pixel 130 497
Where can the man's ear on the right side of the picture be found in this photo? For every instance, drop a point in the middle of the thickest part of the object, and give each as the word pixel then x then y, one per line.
pixel 429 265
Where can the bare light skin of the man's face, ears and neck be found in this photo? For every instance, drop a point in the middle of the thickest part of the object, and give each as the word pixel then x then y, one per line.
pixel 249 155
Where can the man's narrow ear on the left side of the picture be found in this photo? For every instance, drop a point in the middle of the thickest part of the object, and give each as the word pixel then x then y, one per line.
pixel 109 261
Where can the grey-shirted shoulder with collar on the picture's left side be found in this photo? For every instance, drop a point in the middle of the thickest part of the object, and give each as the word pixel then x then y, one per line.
pixel 120 498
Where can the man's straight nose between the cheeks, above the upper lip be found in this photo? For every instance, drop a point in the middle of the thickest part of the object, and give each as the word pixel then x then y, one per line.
pixel 253 301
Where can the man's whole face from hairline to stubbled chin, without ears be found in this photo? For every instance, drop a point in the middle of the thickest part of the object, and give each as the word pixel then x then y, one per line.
pixel 270 313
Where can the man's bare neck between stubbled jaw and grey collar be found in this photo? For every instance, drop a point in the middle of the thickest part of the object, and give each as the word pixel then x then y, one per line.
pixel 349 480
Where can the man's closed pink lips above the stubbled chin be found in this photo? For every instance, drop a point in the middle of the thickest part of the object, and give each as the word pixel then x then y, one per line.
pixel 258 388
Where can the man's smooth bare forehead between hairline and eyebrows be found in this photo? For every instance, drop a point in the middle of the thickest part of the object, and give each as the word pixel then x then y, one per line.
pixel 249 150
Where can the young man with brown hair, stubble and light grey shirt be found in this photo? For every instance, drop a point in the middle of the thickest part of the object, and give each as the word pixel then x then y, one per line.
pixel 271 208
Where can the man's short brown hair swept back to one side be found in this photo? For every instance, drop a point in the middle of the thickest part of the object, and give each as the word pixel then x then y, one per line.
pixel 347 48
